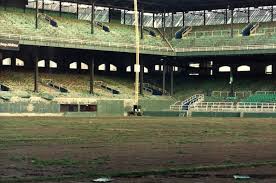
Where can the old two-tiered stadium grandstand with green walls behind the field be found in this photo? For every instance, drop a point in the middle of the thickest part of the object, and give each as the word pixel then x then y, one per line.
pixel 196 57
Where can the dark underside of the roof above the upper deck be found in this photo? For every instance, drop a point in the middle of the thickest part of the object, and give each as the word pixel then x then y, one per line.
pixel 178 5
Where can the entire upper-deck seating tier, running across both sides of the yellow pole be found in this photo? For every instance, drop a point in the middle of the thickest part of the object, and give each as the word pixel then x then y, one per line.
pixel 14 21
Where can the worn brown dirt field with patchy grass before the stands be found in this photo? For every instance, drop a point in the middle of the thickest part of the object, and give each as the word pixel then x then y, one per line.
pixel 137 149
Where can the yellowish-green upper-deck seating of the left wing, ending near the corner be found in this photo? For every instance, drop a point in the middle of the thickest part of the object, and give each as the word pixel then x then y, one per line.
pixel 14 21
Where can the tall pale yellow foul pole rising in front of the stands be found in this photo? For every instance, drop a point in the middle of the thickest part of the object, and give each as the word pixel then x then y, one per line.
pixel 137 41
